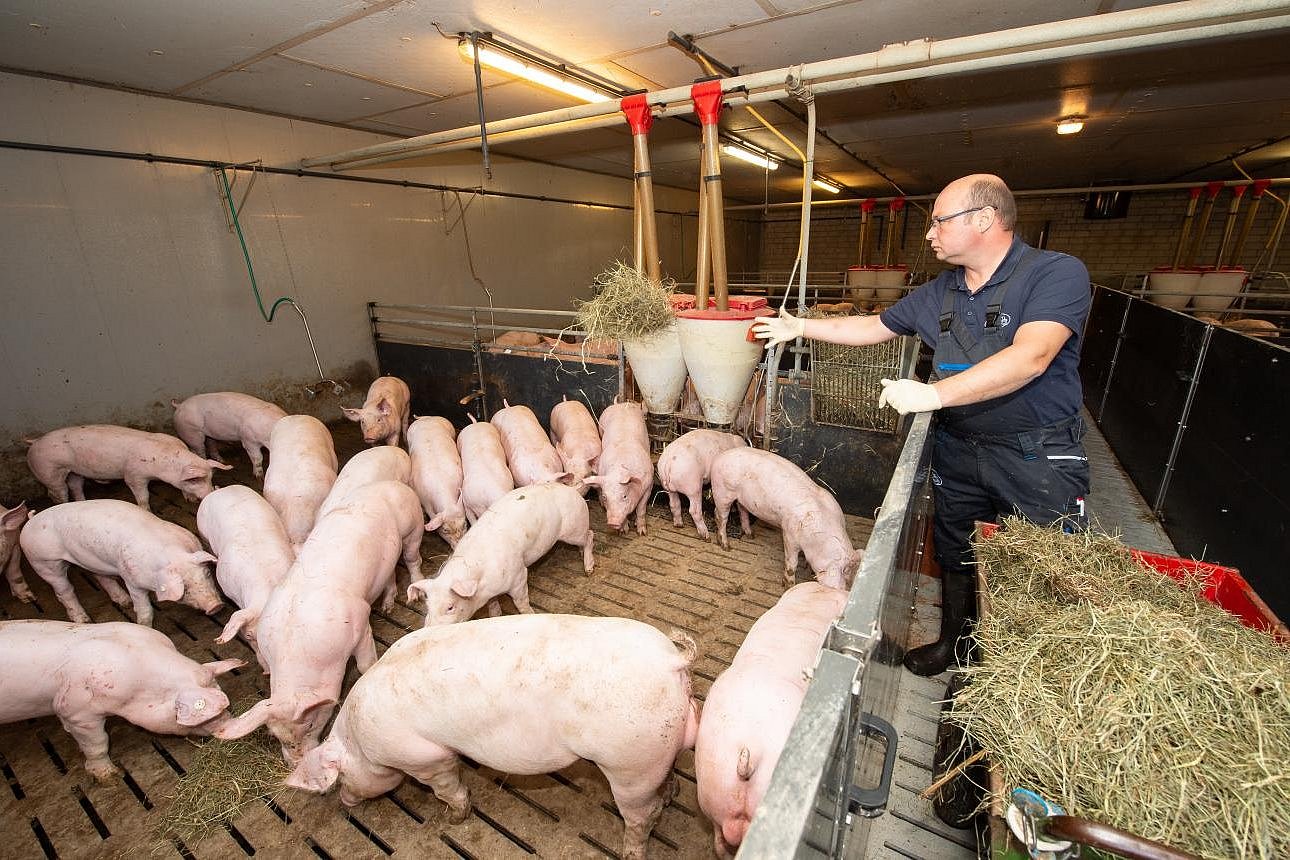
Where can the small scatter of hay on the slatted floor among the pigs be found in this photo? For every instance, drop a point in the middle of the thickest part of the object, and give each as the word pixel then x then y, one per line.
pixel 225 778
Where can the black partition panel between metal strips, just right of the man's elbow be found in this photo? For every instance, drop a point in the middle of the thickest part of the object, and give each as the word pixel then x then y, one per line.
pixel 1147 391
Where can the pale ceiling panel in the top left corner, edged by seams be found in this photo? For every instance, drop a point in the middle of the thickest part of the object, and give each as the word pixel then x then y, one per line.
pixel 115 43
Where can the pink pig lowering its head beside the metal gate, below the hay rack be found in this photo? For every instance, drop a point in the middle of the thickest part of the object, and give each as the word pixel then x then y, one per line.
pixel 777 492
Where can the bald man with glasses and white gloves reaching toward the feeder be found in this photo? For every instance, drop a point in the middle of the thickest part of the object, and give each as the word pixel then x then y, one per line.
pixel 1006 324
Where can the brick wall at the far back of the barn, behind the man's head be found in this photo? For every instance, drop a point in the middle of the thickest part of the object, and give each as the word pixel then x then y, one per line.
pixel 1111 249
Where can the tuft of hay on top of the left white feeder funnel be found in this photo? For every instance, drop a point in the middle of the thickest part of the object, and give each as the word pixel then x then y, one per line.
pixel 626 306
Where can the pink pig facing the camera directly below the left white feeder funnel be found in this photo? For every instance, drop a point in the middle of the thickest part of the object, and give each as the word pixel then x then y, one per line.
pixel 625 471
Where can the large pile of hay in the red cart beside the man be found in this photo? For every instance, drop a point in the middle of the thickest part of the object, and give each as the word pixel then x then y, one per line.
pixel 1127 699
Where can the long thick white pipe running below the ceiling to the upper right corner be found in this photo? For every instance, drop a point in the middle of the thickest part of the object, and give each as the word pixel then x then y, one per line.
pixel 1093 34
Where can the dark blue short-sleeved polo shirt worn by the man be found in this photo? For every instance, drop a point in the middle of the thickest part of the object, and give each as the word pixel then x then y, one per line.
pixel 1056 289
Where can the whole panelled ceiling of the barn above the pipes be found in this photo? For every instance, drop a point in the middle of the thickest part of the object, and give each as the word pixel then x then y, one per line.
pixel 1158 115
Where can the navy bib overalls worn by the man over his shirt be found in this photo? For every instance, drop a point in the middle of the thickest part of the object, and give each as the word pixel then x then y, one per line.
pixel 989 461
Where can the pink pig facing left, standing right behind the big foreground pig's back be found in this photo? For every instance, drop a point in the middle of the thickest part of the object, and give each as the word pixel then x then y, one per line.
pixel 493 559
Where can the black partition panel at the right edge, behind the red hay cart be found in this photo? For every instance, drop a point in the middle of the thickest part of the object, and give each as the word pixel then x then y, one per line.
pixel 1229 500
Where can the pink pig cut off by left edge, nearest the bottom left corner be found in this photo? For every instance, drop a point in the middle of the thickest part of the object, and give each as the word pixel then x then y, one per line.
pixel 84 674
